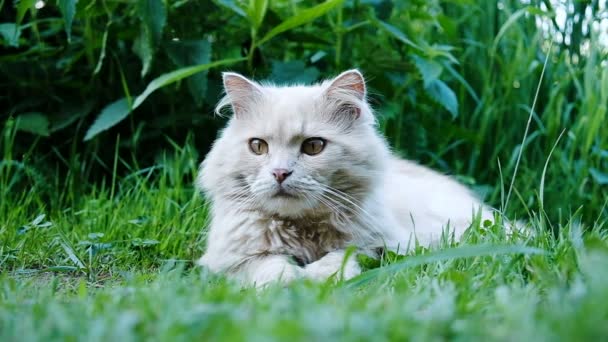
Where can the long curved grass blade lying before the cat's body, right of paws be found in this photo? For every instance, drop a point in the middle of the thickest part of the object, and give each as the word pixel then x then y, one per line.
pixel 460 252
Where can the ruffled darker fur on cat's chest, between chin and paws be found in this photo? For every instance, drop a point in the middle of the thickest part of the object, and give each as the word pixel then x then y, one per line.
pixel 305 240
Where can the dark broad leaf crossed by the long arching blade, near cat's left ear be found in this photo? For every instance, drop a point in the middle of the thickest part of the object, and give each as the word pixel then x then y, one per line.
pixel 187 53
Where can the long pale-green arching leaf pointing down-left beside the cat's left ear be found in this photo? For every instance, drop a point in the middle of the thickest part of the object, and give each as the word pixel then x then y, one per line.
pixel 119 110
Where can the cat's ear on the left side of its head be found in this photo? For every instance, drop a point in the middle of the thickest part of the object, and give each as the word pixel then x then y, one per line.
pixel 240 92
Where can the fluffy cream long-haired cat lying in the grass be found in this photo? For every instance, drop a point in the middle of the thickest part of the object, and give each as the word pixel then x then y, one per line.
pixel 300 173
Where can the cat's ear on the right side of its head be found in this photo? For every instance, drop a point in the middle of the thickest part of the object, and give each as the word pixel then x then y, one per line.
pixel 348 91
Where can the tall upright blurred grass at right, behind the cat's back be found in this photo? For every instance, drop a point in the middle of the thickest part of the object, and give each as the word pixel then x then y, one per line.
pixel 502 59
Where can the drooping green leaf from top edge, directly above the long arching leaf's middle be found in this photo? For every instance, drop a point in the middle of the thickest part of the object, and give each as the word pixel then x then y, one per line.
pixel 153 15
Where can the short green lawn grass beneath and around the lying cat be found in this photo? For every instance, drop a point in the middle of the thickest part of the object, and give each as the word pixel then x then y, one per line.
pixel 120 267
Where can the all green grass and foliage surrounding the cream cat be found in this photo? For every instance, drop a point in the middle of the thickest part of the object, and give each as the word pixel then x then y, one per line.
pixel 106 110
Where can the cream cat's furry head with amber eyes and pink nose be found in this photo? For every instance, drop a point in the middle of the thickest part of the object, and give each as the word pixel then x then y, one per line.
pixel 294 150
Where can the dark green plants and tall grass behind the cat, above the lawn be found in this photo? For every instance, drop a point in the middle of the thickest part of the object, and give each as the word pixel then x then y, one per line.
pixel 92 90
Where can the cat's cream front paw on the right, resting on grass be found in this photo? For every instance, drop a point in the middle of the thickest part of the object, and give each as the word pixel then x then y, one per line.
pixel 331 264
